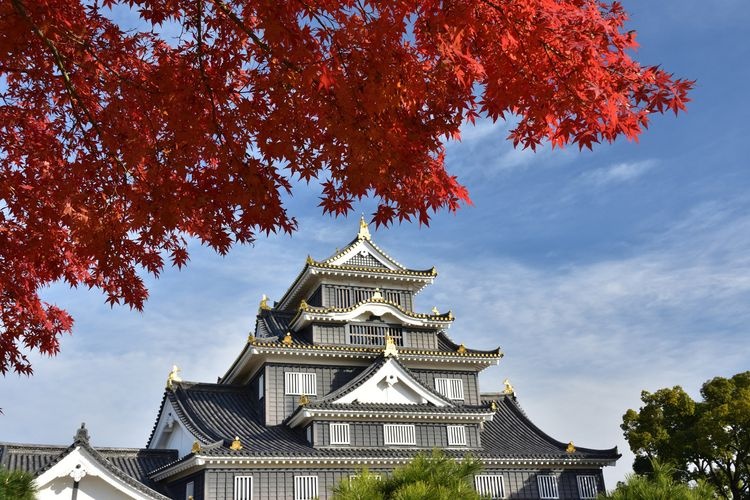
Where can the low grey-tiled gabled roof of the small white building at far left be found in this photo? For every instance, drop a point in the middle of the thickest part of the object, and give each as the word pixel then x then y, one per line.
pixel 130 466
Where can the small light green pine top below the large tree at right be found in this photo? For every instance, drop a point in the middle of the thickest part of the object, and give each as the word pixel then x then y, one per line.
pixel 660 484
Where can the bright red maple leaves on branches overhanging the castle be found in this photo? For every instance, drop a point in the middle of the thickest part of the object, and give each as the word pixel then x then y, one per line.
pixel 116 144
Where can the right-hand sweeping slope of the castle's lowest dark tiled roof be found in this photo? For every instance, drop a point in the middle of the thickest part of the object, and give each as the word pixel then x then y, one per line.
pixel 511 434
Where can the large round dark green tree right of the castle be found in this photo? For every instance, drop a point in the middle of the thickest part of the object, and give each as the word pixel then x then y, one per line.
pixel 707 440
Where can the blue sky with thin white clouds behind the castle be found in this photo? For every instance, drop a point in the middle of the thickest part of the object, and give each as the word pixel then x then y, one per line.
pixel 599 273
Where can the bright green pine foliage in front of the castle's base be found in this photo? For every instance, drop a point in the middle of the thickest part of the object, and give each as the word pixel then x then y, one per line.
pixel 427 477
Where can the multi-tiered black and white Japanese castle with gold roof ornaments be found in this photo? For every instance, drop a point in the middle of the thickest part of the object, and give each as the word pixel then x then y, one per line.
pixel 341 373
